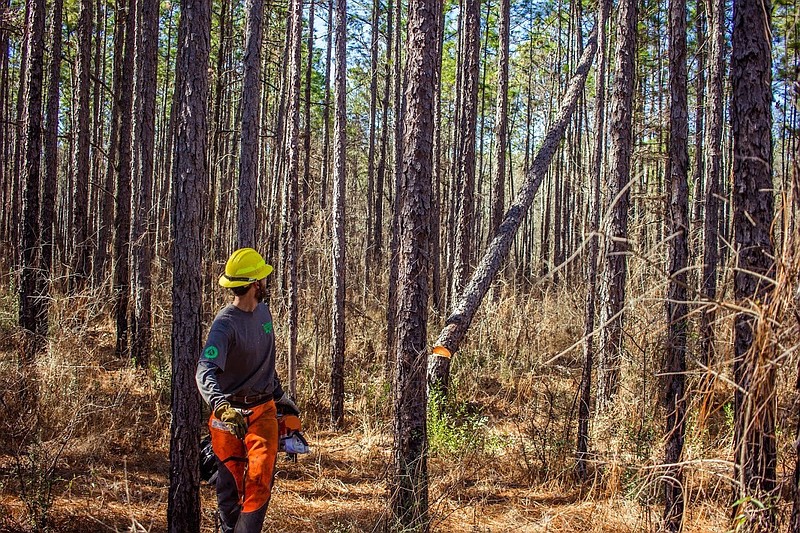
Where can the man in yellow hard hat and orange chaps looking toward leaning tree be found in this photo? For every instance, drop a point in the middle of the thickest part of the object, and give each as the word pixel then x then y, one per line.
pixel 236 377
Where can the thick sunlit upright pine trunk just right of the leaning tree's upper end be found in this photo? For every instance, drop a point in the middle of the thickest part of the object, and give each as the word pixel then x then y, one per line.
pixel 615 273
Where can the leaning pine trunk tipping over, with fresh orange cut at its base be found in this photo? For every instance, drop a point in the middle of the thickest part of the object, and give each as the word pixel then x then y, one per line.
pixel 459 320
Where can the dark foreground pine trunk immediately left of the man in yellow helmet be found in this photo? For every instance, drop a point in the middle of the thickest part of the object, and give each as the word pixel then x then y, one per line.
pixel 189 171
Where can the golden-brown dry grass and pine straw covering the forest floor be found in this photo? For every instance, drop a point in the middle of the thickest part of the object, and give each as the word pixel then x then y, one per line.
pixel 501 451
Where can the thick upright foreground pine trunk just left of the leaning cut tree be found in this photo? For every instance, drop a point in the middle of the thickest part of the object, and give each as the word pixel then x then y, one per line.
pixel 409 484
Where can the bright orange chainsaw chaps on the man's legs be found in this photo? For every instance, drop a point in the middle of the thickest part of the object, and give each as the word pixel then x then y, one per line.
pixel 252 461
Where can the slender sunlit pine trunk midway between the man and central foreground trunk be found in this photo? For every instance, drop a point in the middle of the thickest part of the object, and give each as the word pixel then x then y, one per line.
pixel 338 216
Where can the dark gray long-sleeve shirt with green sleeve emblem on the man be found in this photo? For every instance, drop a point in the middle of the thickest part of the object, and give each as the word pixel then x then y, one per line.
pixel 239 356
